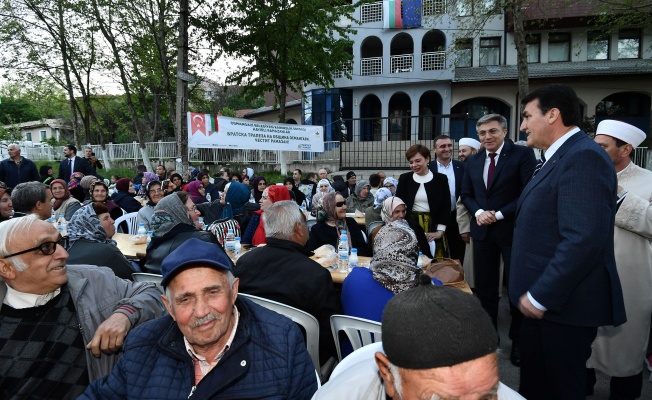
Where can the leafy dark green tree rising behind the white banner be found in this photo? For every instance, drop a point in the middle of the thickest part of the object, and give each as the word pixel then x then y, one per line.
pixel 284 44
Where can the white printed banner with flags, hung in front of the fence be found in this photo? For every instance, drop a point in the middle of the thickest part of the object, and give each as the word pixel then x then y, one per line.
pixel 212 131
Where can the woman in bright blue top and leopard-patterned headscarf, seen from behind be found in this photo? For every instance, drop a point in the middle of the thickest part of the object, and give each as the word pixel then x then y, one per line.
pixel 393 269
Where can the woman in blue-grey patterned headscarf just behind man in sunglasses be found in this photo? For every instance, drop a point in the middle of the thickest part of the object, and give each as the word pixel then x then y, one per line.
pixel 90 231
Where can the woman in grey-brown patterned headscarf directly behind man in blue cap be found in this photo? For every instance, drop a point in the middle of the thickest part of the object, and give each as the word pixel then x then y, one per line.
pixel 175 220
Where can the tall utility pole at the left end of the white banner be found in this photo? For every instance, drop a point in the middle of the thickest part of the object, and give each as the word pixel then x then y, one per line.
pixel 182 85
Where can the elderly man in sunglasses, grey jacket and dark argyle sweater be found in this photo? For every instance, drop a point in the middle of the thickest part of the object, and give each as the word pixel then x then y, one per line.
pixel 60 325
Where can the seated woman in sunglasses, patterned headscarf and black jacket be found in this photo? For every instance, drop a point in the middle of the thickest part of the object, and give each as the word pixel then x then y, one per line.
pixel 331 222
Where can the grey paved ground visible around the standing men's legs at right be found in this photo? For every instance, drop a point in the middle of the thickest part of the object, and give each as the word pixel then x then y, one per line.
pixel 509 374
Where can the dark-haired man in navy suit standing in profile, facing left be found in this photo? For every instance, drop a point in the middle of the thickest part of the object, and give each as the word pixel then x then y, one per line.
pixel 563 275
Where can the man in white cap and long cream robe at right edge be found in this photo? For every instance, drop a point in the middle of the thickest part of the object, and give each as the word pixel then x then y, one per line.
pixel 618 351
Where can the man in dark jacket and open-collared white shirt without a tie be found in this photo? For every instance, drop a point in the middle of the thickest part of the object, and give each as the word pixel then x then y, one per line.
pixel 454 171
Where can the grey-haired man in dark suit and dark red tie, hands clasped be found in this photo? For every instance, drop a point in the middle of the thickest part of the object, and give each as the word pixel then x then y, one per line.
pixel 492 184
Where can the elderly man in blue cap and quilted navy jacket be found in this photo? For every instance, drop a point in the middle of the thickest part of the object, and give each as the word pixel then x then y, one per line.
pixel 213 344
